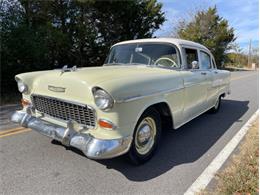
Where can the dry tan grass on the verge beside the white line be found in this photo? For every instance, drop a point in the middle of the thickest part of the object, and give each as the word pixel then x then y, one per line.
pixel 241 174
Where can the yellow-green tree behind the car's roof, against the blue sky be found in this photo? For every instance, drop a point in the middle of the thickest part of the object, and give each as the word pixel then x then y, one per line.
pixel 211 30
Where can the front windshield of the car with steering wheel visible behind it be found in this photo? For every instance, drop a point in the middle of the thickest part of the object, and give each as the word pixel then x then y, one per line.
pixel 158 54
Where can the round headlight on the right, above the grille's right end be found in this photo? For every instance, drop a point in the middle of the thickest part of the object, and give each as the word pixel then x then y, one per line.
pixel 102 99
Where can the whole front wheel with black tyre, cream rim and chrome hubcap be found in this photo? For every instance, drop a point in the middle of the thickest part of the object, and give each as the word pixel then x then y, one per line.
pixel 146 137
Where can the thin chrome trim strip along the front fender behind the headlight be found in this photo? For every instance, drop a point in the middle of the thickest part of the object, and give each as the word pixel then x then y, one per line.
pixel 137 97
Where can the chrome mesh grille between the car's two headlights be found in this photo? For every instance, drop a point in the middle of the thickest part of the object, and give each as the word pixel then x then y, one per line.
pixel 64 110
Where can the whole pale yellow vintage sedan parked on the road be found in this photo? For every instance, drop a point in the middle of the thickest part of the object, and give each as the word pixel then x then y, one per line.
pixel 122 107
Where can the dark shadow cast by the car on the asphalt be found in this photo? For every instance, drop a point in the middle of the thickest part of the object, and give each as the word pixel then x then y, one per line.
pixel 185 145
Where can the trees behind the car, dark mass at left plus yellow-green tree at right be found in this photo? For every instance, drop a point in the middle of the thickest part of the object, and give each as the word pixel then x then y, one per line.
pixel 39 35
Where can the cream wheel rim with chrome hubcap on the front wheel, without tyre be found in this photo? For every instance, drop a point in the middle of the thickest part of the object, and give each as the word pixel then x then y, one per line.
pixel 145 135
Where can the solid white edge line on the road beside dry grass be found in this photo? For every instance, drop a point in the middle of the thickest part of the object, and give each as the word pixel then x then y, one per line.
pixel 208 174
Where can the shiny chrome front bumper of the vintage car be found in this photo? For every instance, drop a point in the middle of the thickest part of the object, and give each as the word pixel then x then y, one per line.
pixel 93 148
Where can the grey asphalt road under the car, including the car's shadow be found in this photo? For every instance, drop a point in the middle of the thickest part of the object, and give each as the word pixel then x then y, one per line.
pixel 33 164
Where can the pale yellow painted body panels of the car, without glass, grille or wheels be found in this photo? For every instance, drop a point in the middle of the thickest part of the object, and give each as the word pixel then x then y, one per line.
pixel 134 89
